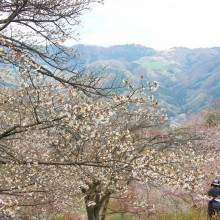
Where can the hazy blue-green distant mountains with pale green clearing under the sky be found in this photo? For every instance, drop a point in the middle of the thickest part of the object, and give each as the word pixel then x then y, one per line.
pixel 189 78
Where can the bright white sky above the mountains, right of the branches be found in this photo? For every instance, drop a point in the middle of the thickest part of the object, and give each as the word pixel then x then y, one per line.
pixel 159 24
